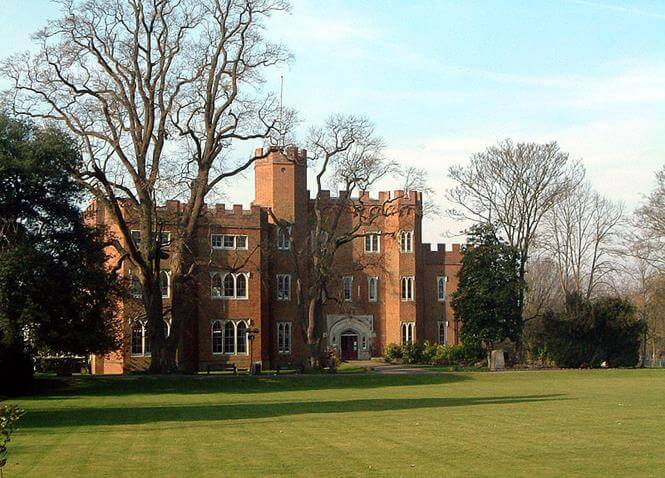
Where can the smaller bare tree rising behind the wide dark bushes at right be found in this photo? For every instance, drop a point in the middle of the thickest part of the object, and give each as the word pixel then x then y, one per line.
pixel 581 234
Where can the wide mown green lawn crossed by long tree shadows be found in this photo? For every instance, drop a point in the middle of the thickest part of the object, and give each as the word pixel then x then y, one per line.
pixel 548 423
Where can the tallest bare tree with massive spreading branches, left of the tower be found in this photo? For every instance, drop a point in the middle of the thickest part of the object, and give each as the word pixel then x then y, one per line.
pixel 156 91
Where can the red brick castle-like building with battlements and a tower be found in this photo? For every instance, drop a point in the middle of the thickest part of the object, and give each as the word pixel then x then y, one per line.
pixel 392 287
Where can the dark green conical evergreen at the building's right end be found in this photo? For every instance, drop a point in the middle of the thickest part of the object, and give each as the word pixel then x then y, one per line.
pixel 487 298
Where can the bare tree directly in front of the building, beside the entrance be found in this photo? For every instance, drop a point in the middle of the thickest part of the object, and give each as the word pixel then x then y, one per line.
pixel 344 152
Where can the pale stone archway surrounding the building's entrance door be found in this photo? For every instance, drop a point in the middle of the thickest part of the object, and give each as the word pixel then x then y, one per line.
pixel 358 327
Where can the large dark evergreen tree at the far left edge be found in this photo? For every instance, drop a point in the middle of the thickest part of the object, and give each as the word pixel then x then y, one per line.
pixel 56 293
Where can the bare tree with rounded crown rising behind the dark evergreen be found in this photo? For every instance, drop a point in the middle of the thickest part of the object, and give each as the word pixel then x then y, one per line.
pixel 513 185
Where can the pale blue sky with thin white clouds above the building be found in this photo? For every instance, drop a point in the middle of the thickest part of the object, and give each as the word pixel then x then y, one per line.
pixel 444 79
